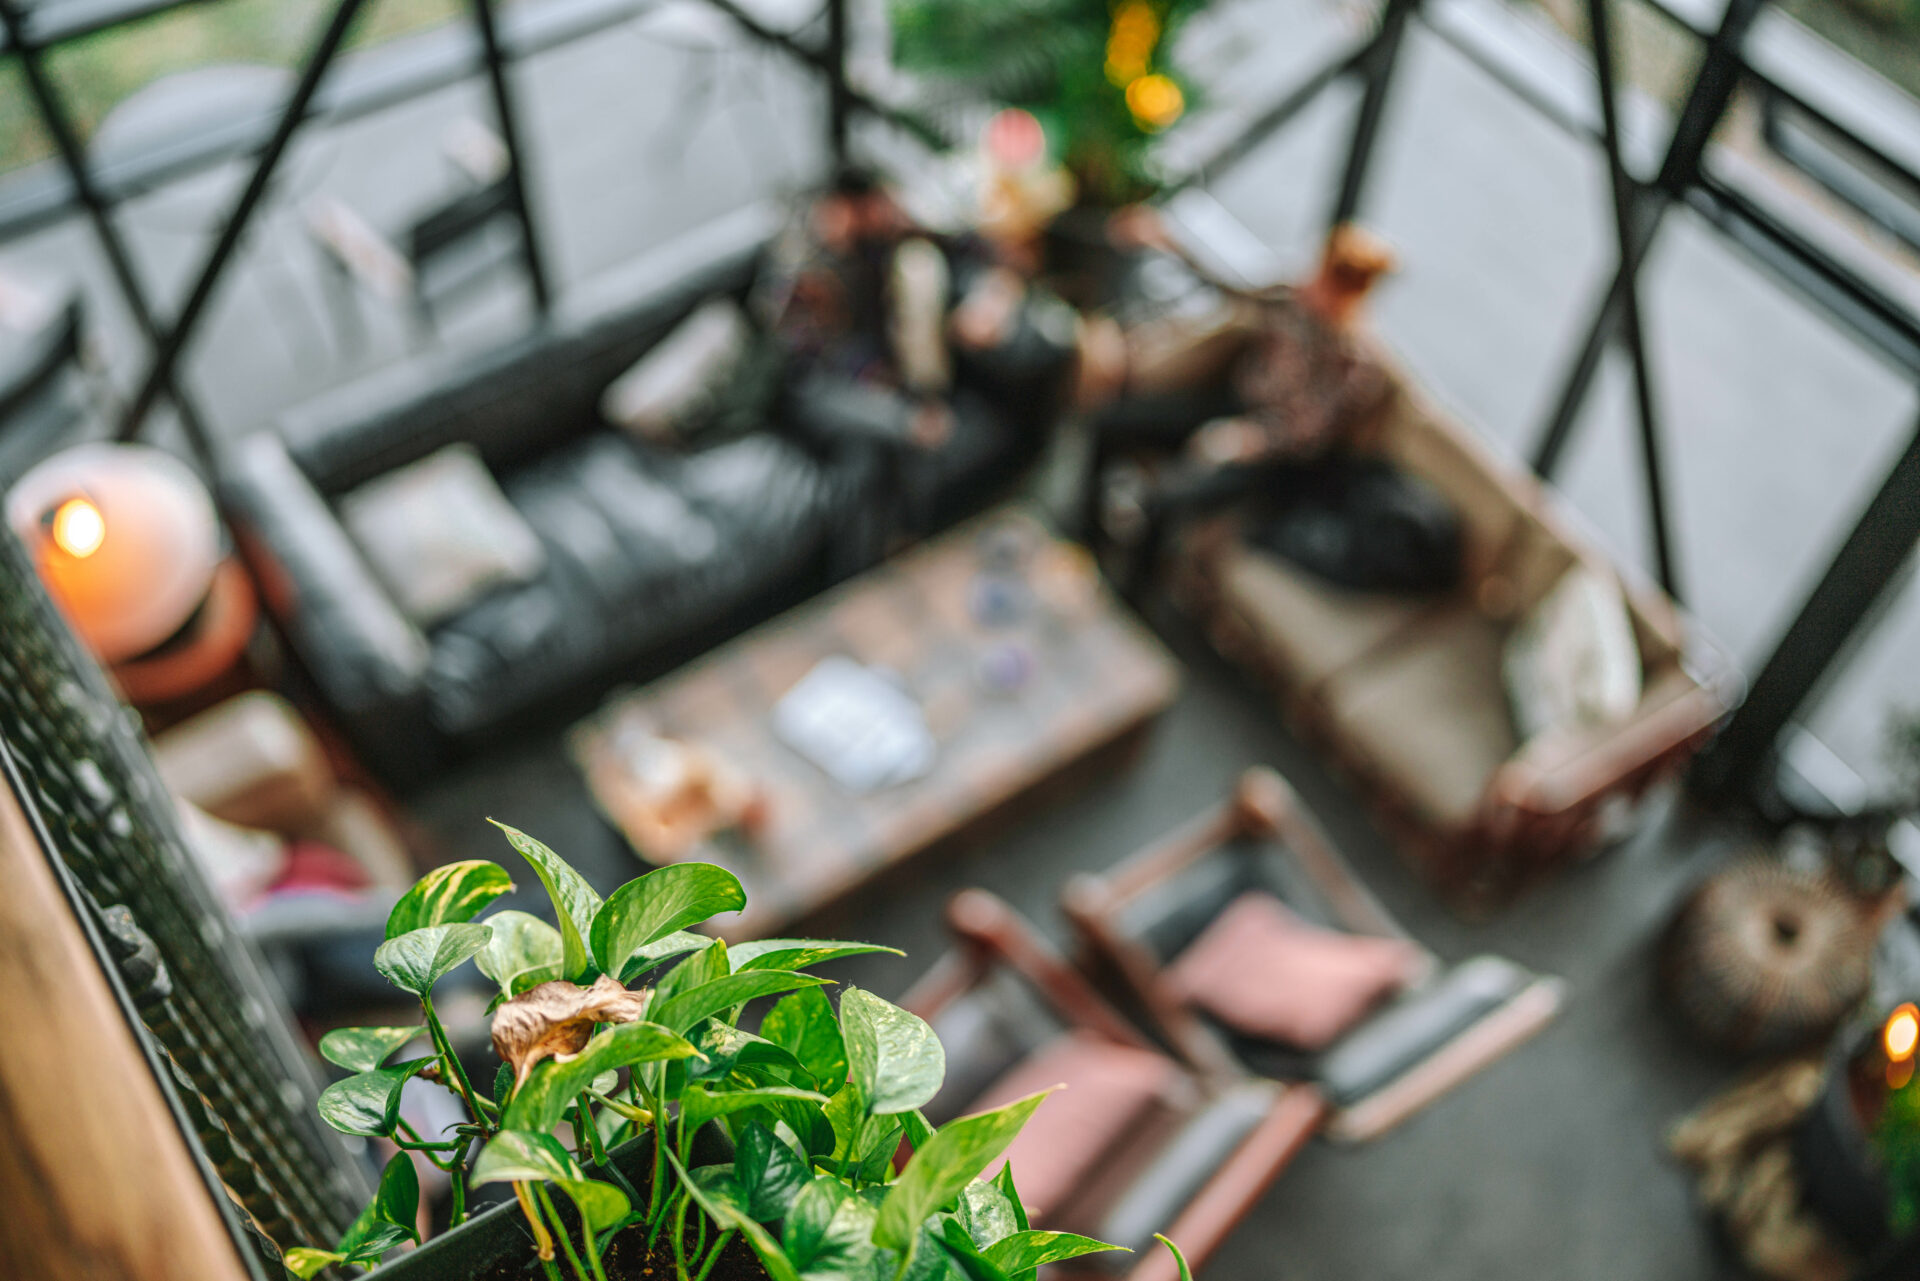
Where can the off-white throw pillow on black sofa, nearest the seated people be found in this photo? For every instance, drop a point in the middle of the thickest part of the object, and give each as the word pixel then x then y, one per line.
pixel 683 375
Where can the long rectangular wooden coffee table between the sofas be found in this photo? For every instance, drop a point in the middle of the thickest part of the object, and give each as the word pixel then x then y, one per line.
pixel 1017 654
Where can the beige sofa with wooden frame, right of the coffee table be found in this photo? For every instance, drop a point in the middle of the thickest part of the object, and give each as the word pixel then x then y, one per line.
pixel 1408 694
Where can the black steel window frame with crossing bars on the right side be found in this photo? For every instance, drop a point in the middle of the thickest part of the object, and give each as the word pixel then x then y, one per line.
pixel 1740 760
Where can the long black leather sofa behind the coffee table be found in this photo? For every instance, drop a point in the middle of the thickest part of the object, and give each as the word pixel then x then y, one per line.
pixel 652 556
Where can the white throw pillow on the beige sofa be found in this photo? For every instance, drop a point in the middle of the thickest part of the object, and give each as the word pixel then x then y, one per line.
pixel 1573 664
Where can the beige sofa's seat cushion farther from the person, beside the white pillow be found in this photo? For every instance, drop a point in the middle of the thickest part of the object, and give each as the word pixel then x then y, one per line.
pixel 1429 715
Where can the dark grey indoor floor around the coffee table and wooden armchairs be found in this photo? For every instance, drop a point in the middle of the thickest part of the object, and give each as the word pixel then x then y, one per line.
pixel 1548 1165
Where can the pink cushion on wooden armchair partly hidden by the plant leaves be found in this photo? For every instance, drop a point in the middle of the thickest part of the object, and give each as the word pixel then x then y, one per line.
pixel 1109 1090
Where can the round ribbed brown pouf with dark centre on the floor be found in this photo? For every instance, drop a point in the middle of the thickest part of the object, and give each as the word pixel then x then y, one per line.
pixel 1765 957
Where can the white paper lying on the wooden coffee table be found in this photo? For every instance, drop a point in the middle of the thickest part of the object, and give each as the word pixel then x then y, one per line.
pixel 855 725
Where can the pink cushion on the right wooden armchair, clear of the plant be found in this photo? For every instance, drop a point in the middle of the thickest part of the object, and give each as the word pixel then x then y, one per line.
pixel 1270 975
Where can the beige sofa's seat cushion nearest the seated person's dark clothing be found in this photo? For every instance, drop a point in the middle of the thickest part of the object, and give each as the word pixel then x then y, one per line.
pixel 1308 627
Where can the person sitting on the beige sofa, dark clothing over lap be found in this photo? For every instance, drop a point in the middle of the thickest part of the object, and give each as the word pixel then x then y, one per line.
pixel 1278 410
